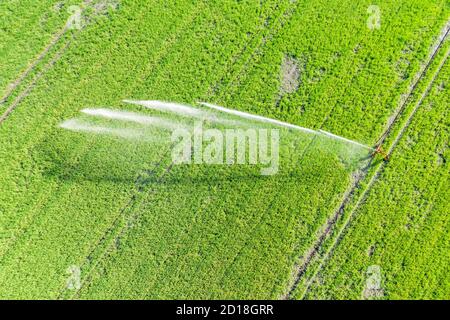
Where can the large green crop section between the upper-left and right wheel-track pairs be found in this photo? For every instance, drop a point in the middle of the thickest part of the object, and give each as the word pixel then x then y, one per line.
pixel 139 227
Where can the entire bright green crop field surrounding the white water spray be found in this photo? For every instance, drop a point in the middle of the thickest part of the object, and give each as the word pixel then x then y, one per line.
pixel 103 211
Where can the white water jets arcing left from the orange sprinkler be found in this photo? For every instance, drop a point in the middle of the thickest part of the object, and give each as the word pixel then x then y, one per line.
pixel 347 150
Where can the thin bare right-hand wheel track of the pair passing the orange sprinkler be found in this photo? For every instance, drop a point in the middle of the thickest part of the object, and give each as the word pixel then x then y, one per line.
pixel 371 182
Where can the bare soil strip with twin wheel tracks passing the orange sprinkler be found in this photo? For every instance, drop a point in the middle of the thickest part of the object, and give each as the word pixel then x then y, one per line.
pixel 327 229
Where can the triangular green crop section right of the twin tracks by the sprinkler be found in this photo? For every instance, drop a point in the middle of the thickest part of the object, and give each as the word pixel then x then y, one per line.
pixel 402 227
